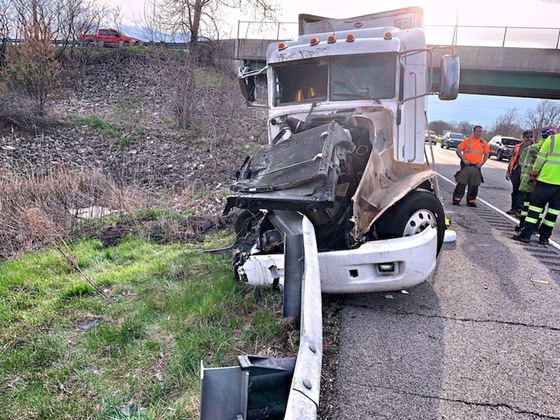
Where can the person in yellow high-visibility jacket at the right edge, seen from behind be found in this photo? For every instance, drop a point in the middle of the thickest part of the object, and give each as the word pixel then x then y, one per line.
pixel 546 175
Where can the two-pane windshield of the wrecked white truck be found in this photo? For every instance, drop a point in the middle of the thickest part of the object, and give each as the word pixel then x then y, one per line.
pixel 340 78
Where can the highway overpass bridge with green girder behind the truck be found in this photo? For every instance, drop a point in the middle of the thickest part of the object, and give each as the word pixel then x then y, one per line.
pixel 501 71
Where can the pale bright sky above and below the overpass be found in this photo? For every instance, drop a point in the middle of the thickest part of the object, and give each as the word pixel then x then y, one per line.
pixel 478 109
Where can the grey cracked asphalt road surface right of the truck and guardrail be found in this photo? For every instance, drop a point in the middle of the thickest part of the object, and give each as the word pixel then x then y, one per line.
pixel 480 339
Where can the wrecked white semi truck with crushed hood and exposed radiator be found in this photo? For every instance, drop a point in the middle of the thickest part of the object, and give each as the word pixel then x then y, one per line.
pixel 346 149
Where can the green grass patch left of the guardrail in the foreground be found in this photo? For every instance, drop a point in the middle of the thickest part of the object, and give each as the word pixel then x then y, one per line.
pixel 124 332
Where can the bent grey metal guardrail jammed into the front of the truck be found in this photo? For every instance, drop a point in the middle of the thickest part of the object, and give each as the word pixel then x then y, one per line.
pixel 259 385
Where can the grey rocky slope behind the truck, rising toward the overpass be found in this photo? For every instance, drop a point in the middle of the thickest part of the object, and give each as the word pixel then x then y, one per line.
pixel 133 99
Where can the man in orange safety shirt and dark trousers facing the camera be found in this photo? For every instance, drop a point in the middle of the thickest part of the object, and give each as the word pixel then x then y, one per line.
pixel 473 152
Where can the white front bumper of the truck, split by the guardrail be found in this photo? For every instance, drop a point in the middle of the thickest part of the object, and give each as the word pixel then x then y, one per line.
pixel 376 266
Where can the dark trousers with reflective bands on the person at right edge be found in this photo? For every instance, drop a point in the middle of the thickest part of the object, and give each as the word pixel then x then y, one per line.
pixel 542 195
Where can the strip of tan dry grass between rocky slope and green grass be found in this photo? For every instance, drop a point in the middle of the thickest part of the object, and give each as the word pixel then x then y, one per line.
pixel 36 210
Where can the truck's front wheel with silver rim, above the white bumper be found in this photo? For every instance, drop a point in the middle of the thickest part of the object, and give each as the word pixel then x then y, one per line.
pixel 412 215
